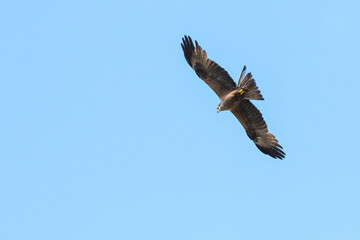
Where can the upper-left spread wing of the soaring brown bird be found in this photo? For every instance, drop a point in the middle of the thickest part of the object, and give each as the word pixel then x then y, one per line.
pixel 209 71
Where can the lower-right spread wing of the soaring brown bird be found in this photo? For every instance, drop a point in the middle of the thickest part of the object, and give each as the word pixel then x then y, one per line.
pixel 251 119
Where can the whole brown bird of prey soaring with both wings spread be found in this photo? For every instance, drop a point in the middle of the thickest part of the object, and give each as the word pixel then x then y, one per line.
pixel 235 98
